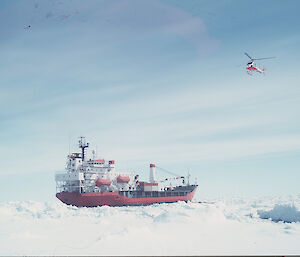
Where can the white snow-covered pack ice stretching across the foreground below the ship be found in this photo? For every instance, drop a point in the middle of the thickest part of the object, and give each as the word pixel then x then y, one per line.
pixel 236 226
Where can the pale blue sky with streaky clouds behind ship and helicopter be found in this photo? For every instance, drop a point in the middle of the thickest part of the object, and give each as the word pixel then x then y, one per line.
pixel 155 81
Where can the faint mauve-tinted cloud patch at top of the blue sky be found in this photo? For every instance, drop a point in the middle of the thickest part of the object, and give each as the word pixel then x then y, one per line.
pixel 155 17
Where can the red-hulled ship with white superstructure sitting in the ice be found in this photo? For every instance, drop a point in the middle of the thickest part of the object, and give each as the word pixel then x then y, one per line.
pixel 91 182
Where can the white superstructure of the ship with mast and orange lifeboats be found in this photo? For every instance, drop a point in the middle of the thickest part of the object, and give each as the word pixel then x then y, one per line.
pixel 96 175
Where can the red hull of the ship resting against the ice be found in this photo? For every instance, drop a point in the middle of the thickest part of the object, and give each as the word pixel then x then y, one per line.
pixel 114 199
